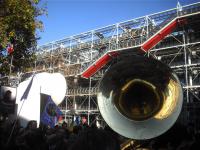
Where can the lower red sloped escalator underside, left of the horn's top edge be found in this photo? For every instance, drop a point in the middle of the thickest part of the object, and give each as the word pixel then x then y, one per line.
pixel 99 64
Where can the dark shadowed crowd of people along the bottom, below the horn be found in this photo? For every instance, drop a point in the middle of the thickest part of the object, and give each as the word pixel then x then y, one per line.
pixel 84 137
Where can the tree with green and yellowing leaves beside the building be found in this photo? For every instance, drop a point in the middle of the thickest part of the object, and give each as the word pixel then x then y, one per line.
pixel 18 25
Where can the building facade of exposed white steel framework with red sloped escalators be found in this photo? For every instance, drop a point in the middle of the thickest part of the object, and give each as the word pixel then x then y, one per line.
pixel 177 35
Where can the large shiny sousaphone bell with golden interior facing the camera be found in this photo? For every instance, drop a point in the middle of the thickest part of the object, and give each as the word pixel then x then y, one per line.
pixel 140 97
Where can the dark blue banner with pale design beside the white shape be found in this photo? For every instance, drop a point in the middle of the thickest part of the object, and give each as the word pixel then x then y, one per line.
pixel 50 114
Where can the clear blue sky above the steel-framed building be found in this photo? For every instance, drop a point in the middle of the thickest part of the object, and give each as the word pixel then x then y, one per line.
pixel 69 17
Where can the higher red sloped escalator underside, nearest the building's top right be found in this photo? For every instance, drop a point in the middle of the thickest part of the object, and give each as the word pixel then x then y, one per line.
pixel 155 39
